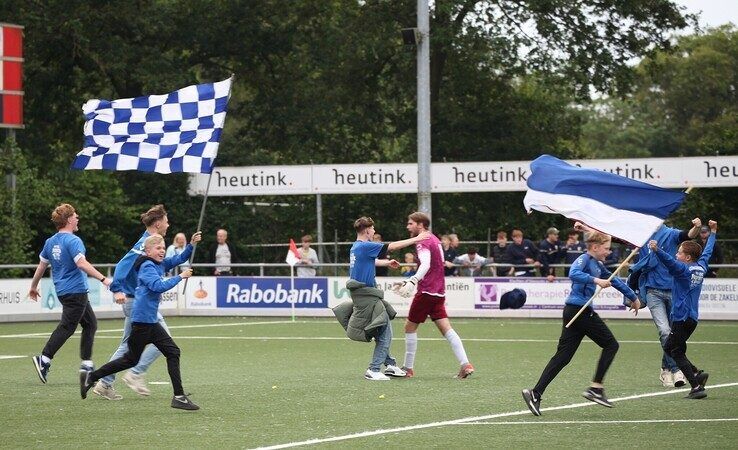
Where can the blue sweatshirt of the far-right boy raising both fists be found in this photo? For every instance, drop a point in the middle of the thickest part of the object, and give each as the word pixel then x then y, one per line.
pixel 688 278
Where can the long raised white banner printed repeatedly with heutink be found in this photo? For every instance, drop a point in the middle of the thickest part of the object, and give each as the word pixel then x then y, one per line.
pixel 483 176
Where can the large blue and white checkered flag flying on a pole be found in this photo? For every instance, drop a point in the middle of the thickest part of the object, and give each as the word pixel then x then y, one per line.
pixel 176 132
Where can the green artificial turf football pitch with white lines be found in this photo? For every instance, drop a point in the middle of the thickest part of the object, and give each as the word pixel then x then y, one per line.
pixel 270 382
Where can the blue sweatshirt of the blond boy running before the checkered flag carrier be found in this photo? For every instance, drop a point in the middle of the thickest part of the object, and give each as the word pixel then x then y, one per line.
pixel 151 284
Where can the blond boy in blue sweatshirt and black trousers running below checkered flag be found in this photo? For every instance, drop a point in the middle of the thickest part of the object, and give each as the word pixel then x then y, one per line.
pixel 145 326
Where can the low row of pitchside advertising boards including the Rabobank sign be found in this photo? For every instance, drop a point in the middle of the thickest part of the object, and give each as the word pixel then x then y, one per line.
pixel 269 296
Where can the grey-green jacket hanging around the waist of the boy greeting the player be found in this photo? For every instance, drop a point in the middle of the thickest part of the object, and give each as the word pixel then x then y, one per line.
pixel 365 313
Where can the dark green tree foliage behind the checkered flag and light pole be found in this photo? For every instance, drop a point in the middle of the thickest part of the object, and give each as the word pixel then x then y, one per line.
pixel 325 82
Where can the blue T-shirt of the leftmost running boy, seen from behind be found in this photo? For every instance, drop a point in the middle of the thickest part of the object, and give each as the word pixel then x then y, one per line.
pixel 62 251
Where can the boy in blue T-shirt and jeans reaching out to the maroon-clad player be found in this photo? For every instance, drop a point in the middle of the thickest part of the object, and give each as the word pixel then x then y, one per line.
pixel 364 256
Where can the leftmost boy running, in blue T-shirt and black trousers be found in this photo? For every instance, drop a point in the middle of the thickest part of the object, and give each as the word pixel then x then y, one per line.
pixel 65 253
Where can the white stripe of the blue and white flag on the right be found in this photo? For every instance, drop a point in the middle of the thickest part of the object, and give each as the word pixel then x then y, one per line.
pixel 631 226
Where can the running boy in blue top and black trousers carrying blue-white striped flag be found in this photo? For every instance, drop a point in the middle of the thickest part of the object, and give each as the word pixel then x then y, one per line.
pixel 586 274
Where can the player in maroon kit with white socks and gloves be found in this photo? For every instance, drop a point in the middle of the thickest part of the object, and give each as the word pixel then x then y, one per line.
pixel 430 297
